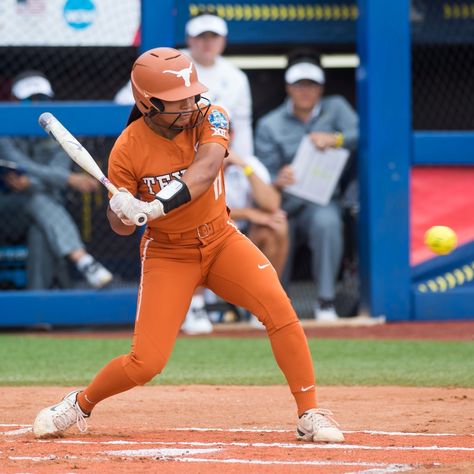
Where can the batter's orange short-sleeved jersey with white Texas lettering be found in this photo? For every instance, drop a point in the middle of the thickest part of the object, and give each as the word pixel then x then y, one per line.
pixel 144 162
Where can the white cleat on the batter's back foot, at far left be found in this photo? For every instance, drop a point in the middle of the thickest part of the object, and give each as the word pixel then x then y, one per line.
pixel 54 420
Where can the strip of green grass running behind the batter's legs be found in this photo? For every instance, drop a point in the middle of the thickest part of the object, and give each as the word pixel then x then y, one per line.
pixel 40 360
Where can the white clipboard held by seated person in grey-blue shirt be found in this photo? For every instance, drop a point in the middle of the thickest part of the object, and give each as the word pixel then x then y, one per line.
pixel 317 172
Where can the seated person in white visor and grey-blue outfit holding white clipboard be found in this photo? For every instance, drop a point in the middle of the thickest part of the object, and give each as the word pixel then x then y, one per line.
pixel 330 122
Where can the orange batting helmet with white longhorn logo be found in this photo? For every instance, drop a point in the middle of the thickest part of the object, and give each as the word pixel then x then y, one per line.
pixel 164 74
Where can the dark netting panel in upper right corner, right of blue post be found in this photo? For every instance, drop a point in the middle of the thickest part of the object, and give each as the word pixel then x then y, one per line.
pixel 442 65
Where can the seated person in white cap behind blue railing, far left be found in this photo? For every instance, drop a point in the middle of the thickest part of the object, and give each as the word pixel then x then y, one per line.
pixel 37 193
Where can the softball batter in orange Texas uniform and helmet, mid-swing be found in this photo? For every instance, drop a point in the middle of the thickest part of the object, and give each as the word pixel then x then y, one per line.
pixel 171 155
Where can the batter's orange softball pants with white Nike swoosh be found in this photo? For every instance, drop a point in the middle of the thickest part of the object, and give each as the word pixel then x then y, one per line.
pixel 230 265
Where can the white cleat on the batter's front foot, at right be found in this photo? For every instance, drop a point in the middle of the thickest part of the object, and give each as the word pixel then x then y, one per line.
pixel 318 425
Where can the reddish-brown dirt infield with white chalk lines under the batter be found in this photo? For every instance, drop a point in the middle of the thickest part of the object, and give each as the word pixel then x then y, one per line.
pixel 207 429
